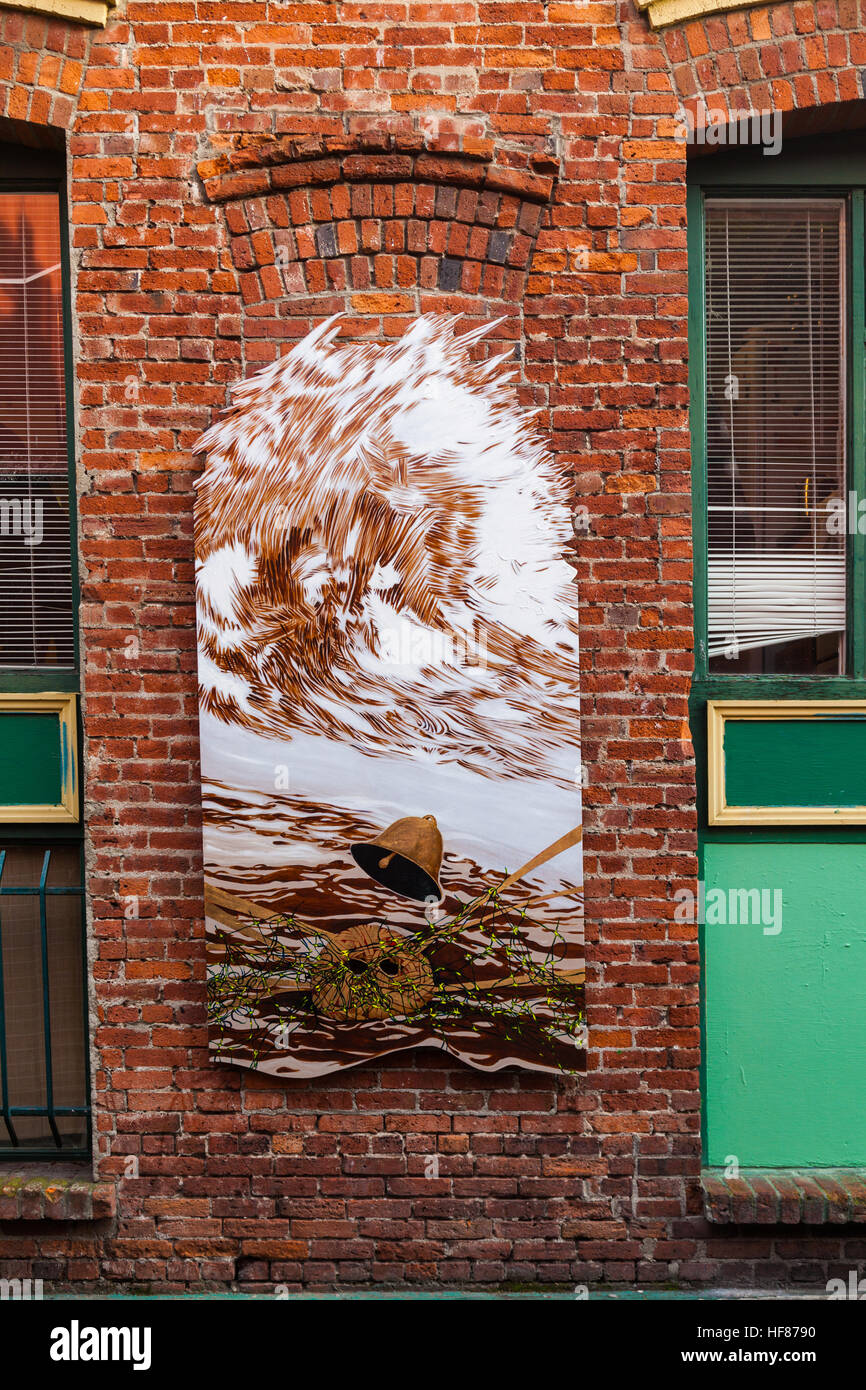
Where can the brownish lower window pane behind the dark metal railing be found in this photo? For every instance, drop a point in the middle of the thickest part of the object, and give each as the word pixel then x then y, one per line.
pixel 24 1056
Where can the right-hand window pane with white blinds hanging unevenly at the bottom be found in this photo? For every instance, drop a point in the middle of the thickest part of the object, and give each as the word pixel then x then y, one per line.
pixel 776 434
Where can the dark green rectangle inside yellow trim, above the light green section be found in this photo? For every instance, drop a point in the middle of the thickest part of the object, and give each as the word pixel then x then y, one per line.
pixel 797 762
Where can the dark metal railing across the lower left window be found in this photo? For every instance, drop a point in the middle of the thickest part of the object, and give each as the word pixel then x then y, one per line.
pixel 49 1111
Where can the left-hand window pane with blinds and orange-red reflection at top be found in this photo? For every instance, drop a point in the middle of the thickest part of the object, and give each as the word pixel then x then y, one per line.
pixel 37 616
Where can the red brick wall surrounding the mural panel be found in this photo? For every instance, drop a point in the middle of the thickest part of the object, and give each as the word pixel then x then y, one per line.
pixel 532 170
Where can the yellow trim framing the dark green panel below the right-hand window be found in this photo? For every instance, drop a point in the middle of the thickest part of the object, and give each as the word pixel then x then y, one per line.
pixel 719 814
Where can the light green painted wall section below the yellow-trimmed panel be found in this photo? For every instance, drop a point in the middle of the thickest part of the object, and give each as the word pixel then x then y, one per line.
pixel 786 1014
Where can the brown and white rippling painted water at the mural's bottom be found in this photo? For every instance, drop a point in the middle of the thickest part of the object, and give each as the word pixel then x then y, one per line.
pixel 265 1015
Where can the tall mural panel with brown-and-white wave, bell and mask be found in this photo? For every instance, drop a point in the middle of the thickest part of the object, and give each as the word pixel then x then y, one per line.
pixel 389 669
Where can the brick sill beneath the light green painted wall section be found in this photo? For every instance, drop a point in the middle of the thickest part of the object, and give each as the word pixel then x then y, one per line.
pixel 785 1196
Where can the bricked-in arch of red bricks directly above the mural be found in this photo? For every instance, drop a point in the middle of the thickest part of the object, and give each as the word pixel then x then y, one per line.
pixel 379 233
